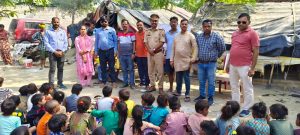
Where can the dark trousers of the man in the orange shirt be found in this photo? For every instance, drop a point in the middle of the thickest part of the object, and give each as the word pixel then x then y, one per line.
pixel 143 70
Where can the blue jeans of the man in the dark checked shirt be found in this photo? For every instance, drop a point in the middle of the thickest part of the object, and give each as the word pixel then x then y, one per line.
pixel 206 72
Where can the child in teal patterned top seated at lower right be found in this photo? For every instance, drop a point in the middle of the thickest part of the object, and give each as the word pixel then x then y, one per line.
pixel 259 122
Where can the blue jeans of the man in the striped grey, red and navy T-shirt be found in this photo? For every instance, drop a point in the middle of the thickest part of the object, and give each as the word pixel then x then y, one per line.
pixel 127 69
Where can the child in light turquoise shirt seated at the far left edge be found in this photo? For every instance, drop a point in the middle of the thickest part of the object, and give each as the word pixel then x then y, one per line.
pixel 8 122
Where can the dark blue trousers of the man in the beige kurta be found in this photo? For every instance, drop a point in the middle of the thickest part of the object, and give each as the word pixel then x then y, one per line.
pixel 180 75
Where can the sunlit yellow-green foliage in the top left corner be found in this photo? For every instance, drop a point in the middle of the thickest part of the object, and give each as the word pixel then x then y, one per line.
pixel 6 6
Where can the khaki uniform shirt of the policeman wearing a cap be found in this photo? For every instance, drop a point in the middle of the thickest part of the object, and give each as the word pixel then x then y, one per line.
pixel 153 37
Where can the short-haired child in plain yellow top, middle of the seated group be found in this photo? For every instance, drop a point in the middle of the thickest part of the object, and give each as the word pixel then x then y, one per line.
pixel 124 95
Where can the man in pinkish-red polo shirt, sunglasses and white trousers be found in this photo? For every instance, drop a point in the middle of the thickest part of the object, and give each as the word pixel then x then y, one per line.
pixel 243 57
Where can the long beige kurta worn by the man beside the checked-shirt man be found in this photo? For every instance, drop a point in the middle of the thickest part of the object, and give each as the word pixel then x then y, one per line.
pixel 184 51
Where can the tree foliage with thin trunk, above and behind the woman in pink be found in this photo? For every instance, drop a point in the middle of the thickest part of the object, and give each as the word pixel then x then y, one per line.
pixel 74 7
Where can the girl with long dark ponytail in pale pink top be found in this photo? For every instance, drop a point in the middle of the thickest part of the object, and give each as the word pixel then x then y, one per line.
pixel 136 125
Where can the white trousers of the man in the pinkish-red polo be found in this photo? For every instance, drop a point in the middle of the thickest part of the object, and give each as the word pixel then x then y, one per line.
pixel 240 73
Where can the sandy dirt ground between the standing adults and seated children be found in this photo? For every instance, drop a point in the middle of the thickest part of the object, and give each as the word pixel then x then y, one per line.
pixel 16 76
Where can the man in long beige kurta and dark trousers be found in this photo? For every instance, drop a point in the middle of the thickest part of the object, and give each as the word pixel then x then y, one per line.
pixel 184 53
